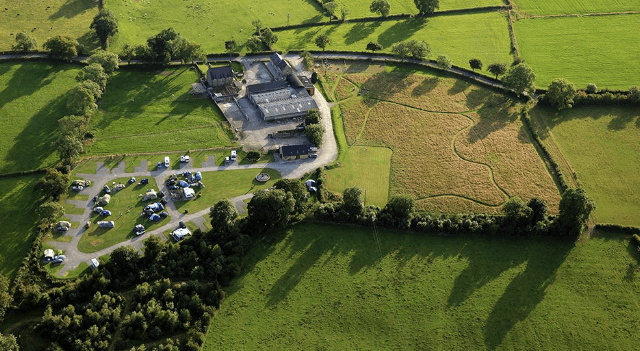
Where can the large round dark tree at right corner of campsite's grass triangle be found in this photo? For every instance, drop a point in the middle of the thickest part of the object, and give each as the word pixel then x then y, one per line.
pixel 269 208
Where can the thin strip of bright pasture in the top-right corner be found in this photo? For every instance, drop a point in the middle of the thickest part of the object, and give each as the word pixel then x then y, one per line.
pixel 554 7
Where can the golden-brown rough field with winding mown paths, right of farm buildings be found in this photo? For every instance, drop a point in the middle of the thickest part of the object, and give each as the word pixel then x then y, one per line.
pixel 456 147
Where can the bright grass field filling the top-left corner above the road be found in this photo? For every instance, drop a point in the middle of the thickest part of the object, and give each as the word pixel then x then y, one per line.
pixel 43 19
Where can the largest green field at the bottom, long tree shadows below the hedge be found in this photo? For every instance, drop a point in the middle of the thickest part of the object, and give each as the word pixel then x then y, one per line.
pixel 333 288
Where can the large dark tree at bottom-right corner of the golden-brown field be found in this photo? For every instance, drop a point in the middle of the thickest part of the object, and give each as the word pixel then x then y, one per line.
pixel 575 209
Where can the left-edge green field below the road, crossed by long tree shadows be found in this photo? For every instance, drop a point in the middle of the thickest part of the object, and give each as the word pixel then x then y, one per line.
pixel 32 99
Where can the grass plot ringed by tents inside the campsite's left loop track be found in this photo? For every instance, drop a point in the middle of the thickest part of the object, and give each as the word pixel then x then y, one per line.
pixel 125 207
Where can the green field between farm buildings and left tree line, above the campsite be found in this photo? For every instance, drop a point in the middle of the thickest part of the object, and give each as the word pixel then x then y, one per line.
pixel 151 111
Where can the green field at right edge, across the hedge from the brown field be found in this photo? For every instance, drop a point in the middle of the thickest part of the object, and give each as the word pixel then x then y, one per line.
pixel 602 145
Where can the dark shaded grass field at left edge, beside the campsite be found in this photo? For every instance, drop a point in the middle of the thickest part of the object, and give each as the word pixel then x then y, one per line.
pixel 17 215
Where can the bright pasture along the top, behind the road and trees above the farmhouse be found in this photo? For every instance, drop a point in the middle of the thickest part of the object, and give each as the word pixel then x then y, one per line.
pixel 207 23
